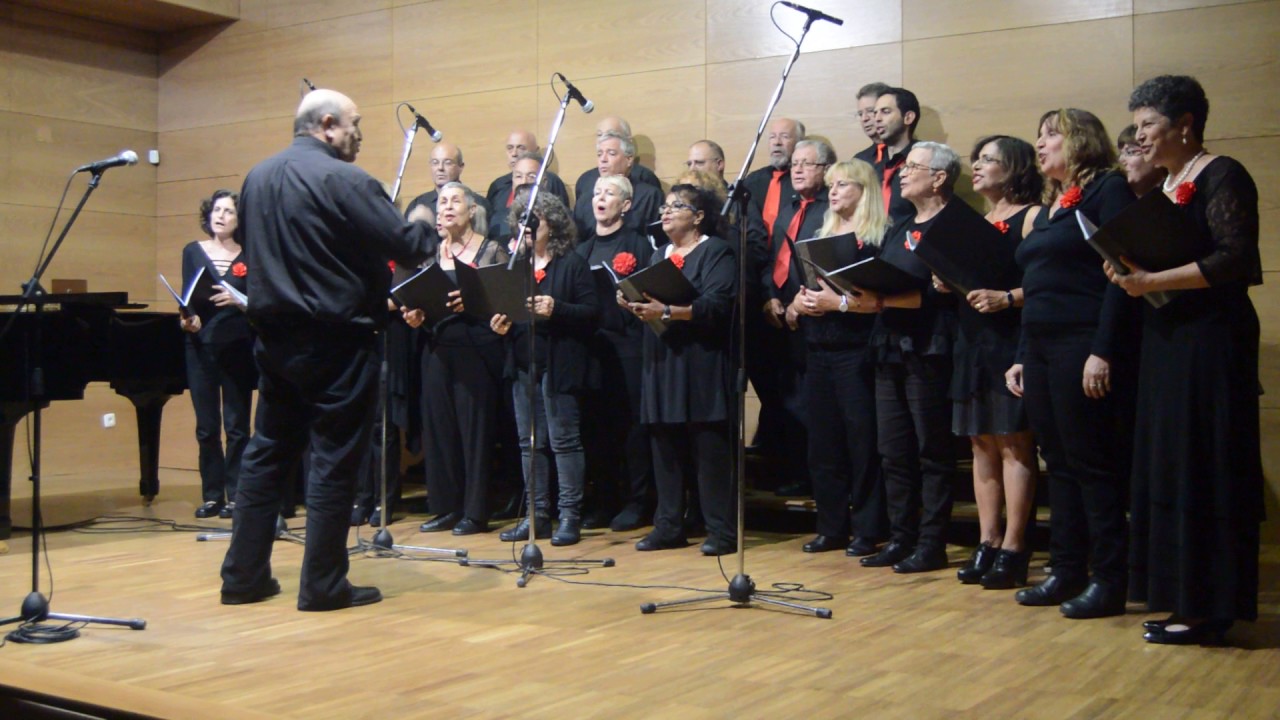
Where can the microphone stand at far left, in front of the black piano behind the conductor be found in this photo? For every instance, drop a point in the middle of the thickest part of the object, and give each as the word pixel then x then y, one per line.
pixel 35 608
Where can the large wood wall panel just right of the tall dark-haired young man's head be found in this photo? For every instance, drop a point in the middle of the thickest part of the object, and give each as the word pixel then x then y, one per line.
pixel 962 106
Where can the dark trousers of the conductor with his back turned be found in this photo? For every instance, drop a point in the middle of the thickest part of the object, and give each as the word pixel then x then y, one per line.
pixel 317 385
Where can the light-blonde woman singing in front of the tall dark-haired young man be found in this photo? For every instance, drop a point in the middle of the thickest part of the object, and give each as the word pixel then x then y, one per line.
pixel 840 381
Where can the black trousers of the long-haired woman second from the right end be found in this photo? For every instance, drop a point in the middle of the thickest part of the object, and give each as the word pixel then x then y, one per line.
pixel 1078 440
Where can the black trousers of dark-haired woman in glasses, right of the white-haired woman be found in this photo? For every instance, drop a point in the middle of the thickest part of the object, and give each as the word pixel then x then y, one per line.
pixel 707 448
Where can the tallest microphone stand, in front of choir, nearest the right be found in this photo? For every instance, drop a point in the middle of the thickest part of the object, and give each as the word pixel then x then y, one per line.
pixel 742 590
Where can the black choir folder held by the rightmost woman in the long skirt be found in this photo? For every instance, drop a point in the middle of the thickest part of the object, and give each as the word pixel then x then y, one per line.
pixel 1153 233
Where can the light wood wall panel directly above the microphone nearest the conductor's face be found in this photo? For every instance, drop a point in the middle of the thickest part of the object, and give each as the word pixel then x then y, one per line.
pixel 455 47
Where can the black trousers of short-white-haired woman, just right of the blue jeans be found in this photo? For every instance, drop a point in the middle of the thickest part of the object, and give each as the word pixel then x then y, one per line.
pixel 619 455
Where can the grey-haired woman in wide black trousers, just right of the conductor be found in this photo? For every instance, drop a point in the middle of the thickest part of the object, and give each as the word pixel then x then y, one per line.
pixel 461 379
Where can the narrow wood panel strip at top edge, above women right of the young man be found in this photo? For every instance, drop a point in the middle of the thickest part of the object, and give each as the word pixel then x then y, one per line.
pixel 938 19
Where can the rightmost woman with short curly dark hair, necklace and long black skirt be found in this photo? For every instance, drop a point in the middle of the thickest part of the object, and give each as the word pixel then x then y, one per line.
pixel 1197 473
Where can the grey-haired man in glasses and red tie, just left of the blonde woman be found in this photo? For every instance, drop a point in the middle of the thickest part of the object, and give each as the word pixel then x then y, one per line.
pixel 799 218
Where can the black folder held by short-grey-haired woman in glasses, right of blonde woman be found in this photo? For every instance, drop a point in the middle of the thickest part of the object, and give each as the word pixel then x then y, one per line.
pixel 968 253
